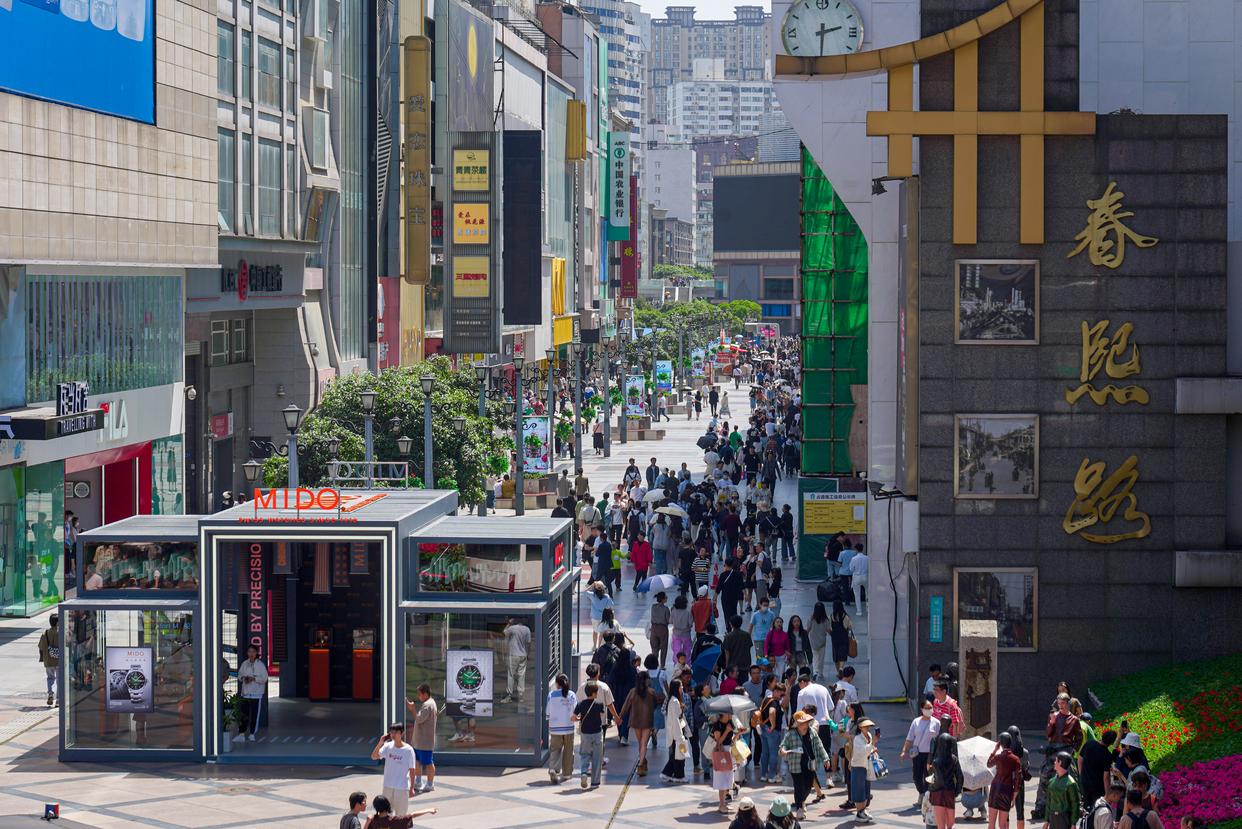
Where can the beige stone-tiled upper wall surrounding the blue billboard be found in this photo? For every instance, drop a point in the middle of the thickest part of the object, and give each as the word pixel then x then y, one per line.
pixel 89 188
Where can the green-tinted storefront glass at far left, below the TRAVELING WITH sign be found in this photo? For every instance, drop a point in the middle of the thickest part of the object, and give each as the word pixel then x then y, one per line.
pixel 32 538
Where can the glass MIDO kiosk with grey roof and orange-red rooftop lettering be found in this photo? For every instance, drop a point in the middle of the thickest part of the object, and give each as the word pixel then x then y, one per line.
pixel 336 605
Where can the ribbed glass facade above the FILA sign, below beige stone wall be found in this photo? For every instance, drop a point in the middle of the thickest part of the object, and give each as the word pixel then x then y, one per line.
pixel 116 332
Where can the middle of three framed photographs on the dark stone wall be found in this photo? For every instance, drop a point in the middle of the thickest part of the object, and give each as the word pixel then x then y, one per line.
pixel 997 457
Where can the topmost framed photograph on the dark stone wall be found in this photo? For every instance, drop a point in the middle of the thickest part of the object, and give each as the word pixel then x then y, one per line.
pixel 998 301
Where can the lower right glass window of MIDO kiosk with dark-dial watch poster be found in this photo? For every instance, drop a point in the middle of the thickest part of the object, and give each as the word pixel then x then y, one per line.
pixel 489 682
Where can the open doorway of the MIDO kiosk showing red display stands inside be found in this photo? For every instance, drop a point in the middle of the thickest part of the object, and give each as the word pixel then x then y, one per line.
pixel 324 627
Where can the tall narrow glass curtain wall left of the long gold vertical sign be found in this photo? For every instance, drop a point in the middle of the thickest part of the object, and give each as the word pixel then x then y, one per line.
pixel 353 204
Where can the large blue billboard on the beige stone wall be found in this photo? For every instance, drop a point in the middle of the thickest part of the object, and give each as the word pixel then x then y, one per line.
pixel 91 54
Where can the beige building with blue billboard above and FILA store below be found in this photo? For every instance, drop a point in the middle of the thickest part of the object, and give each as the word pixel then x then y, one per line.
pixel 107 202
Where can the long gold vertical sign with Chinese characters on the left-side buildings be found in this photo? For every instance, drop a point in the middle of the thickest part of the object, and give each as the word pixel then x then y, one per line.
pixel 418 161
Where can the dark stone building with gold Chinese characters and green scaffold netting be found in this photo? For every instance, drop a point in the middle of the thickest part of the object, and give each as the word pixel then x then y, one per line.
pixel 993 278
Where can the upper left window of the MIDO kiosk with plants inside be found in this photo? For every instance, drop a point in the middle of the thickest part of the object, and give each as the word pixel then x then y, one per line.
pixel 160 566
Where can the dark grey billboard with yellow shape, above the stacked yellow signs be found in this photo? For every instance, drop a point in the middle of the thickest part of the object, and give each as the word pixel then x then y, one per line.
pixel 471 43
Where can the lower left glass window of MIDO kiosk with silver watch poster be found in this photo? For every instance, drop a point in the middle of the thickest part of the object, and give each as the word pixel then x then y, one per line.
pixel 130 679
